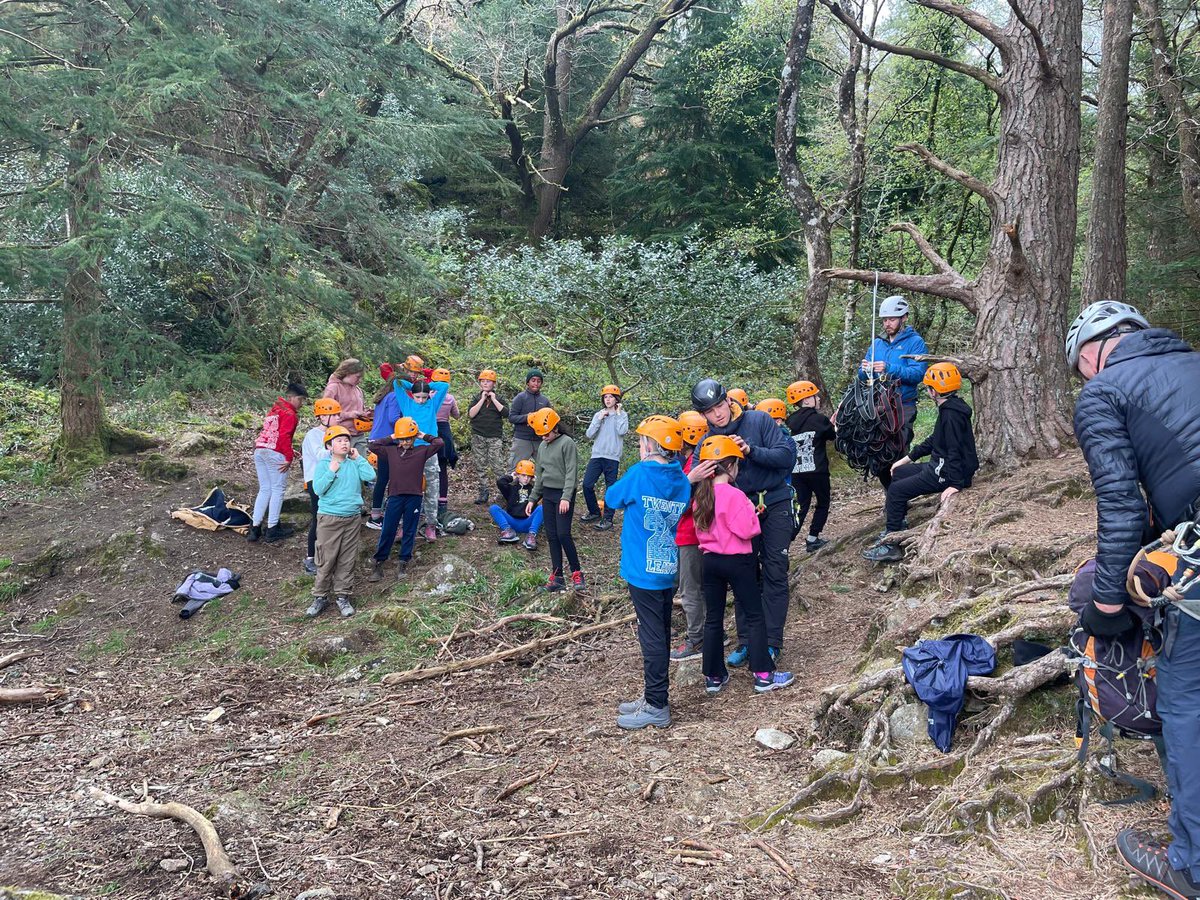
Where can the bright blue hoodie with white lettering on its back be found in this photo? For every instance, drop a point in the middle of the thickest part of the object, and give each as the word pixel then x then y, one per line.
pixel 661 491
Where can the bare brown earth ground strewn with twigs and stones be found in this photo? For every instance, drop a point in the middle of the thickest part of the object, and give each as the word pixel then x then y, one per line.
pixel 322 778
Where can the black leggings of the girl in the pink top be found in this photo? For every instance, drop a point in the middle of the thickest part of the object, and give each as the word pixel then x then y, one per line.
pixel 740 573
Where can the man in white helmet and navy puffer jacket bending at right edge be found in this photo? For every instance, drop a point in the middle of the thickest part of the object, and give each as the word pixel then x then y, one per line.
pixel 1138 423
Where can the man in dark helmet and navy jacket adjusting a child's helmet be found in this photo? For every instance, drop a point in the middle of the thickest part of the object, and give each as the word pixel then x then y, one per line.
pixel 765 478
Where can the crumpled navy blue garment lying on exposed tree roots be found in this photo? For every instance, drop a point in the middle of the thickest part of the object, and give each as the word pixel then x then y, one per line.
pixel 939 670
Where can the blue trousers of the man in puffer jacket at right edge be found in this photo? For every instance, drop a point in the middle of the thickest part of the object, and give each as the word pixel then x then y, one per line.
pixel 1179 706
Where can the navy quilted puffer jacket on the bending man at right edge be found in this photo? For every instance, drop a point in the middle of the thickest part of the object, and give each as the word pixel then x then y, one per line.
pixel 1138 424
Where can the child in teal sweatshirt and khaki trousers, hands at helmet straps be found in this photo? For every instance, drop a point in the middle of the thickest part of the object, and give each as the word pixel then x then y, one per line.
pixel 338 483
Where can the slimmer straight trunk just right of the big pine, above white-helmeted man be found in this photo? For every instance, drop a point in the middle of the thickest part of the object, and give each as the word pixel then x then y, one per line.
pixel 1106 261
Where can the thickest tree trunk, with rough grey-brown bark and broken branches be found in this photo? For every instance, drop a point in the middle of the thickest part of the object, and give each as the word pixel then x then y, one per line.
pixel 1022 295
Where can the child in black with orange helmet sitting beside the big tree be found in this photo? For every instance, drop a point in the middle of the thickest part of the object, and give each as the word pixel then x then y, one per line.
pixel 952 466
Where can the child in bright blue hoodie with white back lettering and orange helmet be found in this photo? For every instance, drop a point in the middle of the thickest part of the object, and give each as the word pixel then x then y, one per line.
pixel 655 494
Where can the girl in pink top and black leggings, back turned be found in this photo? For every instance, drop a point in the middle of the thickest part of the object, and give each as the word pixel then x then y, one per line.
pixel 727 525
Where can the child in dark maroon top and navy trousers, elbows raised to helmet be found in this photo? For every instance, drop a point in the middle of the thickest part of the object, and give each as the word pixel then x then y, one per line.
pixel 406 477
